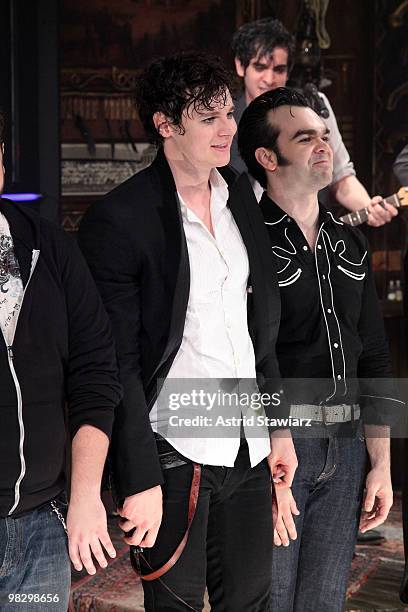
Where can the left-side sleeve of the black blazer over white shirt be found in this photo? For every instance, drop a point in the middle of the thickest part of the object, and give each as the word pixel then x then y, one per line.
pixel 114 258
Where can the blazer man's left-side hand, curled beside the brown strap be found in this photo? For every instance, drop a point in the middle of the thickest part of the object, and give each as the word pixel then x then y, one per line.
pixel 142 512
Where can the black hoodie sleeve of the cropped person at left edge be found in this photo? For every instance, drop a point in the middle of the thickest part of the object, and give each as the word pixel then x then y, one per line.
pixel 92 386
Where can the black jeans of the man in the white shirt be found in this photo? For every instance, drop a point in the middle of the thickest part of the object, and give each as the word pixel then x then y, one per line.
pixel 230 542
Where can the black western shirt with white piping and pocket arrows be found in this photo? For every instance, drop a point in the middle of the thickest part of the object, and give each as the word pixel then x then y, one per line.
pixel 331 339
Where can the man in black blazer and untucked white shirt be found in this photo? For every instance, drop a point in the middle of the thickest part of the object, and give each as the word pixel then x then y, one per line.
pixel 172 250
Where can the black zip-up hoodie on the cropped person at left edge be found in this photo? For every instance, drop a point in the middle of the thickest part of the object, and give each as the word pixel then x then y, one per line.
pixel 62 350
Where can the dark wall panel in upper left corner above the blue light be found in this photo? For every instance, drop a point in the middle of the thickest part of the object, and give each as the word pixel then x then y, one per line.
pixel 29 97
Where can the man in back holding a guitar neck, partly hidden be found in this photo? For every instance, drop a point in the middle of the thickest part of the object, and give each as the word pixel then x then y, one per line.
pixel 264 56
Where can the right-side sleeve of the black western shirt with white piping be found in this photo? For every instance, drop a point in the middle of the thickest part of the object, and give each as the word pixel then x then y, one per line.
pixel 379 398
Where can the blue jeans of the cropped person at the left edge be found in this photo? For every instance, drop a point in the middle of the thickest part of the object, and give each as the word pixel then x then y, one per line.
pixel 35 572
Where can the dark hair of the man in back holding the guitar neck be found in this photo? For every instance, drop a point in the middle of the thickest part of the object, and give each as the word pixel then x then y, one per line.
pixel 261 37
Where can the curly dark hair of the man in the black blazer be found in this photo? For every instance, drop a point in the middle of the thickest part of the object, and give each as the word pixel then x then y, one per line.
pixel 177 84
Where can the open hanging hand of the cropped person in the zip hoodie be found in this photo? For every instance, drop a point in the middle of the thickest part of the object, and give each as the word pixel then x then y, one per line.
pixel 87 530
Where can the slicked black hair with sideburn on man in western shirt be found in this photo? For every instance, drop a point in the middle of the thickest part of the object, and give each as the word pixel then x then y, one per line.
pixel 256 129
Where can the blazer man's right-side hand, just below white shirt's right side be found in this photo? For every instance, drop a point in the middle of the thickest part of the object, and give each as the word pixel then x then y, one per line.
pixel 282 460
